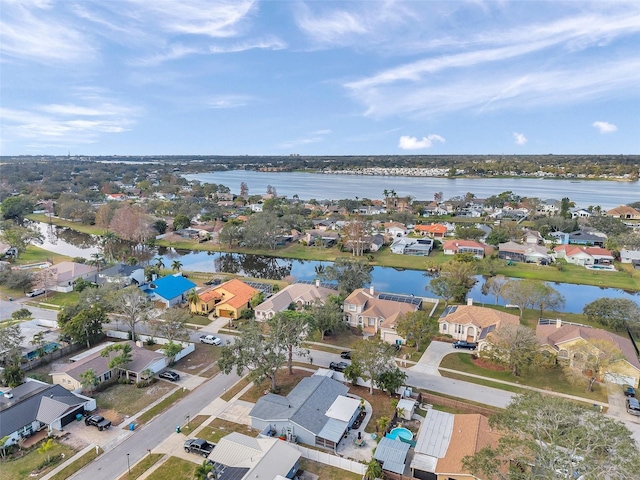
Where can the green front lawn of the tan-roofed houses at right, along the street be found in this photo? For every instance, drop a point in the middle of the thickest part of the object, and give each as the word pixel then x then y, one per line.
pixel 553 379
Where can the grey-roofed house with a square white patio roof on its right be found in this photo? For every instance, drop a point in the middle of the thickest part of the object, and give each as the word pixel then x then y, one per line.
pixel 316 412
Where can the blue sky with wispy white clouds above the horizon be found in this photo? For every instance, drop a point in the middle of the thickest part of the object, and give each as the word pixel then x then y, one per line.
pixel 236 77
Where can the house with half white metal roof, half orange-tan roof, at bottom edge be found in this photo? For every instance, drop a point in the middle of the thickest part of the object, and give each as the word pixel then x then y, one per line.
pixel 445 439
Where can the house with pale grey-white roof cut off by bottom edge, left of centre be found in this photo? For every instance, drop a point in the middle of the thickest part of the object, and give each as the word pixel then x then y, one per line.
pixel 241 457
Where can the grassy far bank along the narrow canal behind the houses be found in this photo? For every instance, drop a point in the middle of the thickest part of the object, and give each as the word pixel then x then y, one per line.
pixel 627 279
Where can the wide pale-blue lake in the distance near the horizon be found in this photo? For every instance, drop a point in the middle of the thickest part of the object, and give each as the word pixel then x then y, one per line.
pixel 607 194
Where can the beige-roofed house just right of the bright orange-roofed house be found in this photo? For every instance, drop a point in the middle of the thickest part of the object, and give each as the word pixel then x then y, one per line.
pixel 300 294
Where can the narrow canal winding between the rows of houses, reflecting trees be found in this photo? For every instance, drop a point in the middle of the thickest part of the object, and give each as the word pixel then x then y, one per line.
pixel 386 279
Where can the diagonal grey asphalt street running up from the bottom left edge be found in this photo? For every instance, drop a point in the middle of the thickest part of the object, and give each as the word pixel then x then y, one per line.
pixel 113 463
